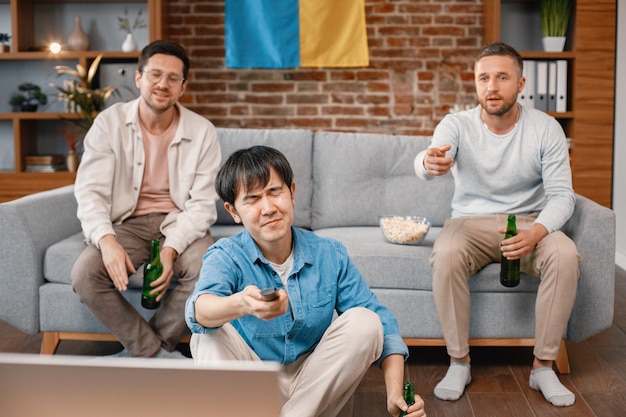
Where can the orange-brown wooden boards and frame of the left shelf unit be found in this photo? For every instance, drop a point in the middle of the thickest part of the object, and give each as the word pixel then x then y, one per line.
pixel 16 182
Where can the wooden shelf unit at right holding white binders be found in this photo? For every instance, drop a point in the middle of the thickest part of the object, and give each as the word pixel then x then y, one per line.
pixel 590 119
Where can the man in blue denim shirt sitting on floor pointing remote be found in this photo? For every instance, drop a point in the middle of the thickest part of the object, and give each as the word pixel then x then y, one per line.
pixel 324 359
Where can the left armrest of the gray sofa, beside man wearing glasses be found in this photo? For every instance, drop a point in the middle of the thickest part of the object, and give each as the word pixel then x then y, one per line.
pixel 29 225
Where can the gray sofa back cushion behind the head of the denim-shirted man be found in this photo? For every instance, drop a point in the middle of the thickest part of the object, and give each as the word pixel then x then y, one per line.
pixel 295 144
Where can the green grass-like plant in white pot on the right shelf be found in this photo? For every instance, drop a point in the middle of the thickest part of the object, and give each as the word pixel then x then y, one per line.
pixel 554 20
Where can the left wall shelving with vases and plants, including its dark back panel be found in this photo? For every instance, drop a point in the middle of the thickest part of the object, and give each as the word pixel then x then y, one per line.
pixel 24 134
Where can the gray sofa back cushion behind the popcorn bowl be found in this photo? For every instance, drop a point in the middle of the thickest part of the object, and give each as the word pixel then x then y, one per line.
pixel 360 176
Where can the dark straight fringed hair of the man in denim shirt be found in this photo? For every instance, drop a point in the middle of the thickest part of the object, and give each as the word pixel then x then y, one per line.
pixel 250 168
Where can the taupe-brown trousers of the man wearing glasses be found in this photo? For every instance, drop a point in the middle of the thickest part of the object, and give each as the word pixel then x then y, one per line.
pixel 91 282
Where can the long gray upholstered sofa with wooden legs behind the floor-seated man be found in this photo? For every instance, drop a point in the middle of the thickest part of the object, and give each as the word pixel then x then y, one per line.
pixel 343 182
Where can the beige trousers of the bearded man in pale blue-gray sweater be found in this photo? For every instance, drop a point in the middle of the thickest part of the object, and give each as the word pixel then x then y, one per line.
pixel 467 244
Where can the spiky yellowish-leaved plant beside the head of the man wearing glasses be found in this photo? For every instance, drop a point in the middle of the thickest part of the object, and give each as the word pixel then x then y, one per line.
pixel 80 93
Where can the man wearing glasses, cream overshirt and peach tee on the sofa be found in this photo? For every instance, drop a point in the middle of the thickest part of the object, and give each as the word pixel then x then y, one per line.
pixel 148 172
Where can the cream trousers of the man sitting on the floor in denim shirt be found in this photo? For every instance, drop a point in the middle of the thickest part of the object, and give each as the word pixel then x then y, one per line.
pixel 320 382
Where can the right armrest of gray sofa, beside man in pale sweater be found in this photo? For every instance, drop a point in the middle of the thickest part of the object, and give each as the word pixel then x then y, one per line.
pixel 592 228
